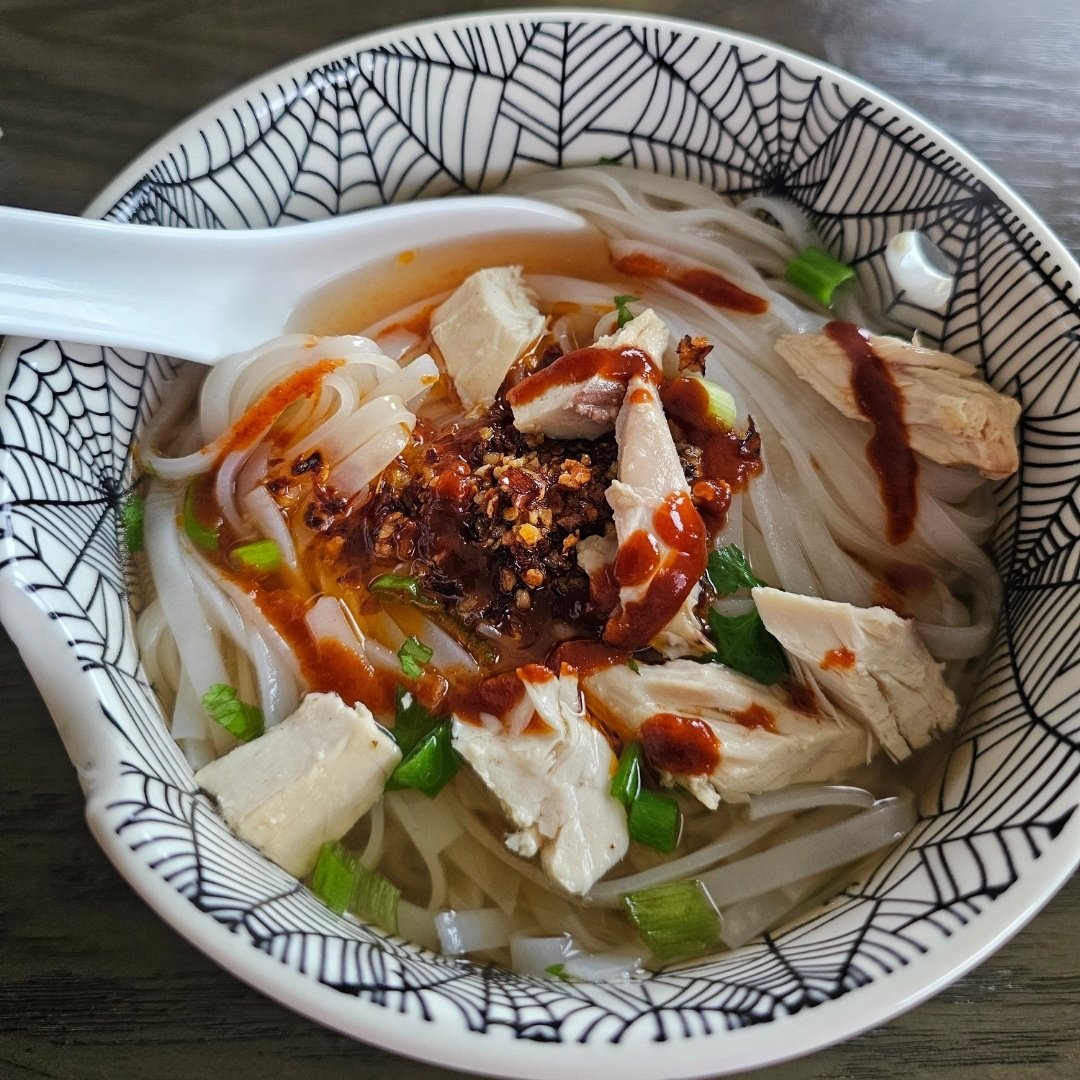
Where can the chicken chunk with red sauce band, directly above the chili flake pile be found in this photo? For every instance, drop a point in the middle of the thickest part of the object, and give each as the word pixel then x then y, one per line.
pixel 563 402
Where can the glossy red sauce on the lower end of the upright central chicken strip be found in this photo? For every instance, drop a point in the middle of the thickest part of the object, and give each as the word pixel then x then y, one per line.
pixel 679 525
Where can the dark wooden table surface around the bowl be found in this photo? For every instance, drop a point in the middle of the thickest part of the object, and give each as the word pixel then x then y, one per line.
pixel 92 983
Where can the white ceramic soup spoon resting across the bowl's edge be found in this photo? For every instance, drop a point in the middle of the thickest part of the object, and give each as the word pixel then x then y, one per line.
pixel 204 294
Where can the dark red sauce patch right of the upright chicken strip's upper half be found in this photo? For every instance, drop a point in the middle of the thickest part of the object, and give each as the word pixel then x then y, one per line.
pixel 730 461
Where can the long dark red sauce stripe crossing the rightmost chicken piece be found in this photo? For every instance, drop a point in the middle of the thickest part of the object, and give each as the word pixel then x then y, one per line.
pixel 889 450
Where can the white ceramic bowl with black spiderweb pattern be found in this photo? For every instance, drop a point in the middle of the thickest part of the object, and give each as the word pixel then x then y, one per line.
pixel 460 106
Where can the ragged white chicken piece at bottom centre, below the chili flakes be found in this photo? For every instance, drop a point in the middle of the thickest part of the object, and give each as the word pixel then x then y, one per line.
pixel 553 785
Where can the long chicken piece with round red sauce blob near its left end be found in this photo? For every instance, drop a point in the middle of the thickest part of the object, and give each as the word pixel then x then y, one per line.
pixel 761 741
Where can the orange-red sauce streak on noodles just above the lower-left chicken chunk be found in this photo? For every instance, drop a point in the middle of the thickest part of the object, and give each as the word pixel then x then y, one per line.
pixel 327 665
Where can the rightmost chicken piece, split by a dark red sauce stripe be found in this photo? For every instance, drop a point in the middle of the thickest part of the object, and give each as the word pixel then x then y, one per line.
pixel 953 416
